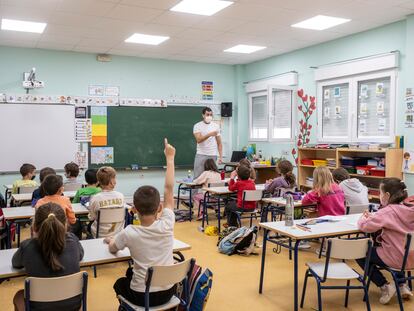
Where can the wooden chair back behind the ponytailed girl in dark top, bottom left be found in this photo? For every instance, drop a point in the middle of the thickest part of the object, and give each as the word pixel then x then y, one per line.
pixel 56 289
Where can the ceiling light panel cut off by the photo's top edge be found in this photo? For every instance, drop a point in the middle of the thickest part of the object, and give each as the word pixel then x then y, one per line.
pixel 201 7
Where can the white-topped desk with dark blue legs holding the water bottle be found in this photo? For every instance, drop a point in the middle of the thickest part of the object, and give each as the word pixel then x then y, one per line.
pixel 347 225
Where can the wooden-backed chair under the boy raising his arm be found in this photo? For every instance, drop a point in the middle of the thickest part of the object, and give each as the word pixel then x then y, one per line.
pixel 164 276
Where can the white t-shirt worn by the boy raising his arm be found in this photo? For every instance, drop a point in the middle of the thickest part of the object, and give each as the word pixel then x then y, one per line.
pixel 149 246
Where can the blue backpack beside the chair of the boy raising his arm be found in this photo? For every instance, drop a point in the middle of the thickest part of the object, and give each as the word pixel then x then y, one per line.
pixel 201 291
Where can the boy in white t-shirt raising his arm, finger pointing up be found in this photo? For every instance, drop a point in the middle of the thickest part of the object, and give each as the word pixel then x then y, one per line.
pixel 151 243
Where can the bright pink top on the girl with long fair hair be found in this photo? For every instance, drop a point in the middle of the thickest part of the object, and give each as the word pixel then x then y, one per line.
pixel 332 203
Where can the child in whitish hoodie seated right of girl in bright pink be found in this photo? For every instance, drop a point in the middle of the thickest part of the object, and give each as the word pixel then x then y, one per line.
pixel 355 192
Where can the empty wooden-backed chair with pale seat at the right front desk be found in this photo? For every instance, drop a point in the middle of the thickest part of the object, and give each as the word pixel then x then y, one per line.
pixel 323 271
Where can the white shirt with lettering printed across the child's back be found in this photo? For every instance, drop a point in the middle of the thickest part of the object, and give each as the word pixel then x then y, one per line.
pixel 105 199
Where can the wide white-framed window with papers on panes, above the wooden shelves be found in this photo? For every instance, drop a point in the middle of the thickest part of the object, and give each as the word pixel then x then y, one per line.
pixel 360 108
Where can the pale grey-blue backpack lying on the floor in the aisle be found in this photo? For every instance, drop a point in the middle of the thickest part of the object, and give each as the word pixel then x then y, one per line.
pixel 241 241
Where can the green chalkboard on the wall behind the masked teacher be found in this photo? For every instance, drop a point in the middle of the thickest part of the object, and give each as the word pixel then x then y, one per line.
pixel 137 135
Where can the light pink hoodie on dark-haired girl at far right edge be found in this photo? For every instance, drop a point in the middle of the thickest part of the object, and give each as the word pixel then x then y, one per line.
pixel 395 221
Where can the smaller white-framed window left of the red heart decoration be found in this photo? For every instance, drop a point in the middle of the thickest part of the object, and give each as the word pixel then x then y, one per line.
pixel 271 114
